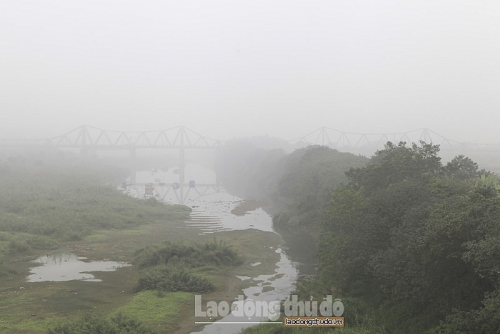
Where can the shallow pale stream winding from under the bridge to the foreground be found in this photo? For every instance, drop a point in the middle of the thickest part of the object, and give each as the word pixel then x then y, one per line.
pixel 211 213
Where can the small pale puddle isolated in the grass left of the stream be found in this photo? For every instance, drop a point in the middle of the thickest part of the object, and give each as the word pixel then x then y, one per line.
pixel 65 266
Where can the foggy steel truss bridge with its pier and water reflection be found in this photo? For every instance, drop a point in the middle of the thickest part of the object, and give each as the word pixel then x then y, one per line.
pixel 90 139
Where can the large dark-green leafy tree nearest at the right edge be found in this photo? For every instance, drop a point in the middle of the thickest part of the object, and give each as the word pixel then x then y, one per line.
pixel 418 238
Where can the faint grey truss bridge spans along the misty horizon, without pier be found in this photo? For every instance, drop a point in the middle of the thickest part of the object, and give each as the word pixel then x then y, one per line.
pixel 88 138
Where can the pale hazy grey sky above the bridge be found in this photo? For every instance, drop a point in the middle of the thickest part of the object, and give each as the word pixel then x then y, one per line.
pixel 240 68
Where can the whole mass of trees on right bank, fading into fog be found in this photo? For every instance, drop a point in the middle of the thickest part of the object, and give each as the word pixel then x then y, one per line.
pixel 410 244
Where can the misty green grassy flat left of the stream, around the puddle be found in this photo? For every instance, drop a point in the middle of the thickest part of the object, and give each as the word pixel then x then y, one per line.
pixel 46 209
